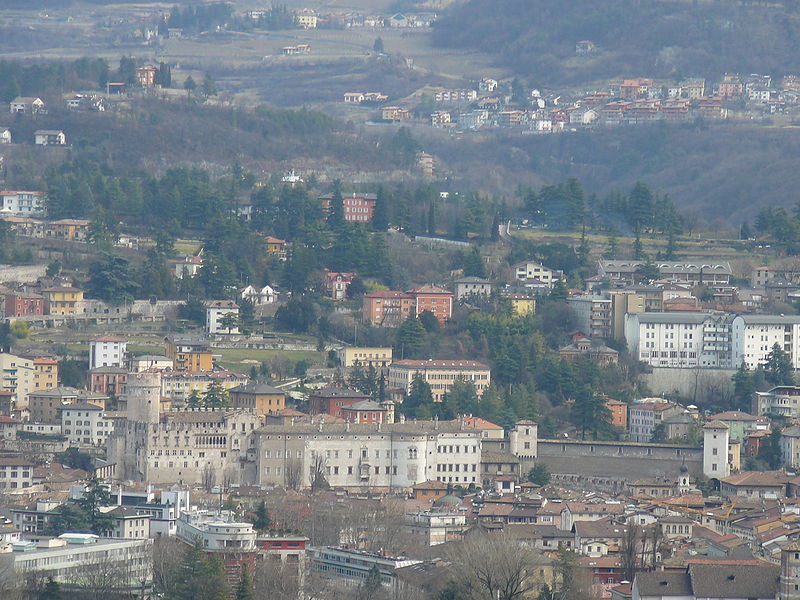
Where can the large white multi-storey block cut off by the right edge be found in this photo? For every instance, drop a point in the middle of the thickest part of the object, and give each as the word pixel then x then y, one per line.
pixel 753 337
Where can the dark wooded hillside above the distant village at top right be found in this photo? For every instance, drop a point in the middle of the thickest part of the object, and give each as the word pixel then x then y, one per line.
pixel 658 38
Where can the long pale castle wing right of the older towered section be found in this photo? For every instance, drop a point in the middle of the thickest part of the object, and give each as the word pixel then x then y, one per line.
pixel 369 456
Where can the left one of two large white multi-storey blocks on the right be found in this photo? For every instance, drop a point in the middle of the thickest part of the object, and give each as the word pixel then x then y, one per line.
pixel 678 339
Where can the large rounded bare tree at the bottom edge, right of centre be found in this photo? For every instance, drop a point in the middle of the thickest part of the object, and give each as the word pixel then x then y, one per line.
pixel 496 567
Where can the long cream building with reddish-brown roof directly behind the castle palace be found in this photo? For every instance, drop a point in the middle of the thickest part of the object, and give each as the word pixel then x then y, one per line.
pixel 439 374
